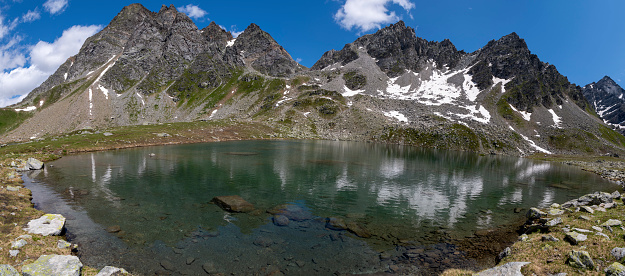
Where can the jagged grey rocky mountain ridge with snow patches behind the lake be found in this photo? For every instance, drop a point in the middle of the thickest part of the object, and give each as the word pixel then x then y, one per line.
pixel 391 86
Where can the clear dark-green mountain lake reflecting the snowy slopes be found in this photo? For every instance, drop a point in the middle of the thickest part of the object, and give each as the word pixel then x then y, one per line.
pixel 342 207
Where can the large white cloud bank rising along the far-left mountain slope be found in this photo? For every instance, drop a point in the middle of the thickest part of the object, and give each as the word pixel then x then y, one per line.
pixel 44 59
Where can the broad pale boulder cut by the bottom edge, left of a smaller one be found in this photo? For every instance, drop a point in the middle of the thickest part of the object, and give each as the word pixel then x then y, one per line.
pixel 59 265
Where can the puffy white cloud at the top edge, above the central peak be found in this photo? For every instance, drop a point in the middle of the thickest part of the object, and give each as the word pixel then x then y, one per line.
pixel 369 14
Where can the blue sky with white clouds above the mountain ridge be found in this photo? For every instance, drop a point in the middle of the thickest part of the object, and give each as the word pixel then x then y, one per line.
pixel 585 40
